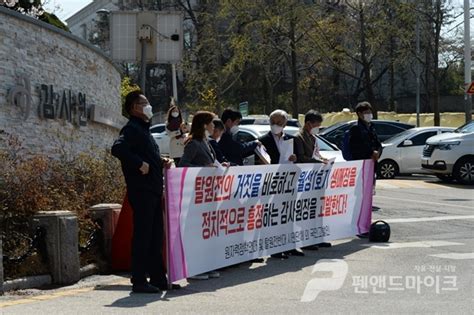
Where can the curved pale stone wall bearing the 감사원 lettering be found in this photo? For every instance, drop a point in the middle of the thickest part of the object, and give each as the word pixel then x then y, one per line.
pixel 46 55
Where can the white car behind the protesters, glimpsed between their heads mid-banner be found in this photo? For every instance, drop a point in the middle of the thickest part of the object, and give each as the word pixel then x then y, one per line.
pixel 252 132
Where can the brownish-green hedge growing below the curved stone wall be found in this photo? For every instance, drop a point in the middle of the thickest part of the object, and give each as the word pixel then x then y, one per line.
pixel 32 183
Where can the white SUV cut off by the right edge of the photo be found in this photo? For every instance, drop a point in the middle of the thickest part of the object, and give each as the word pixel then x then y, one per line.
pixel 451 155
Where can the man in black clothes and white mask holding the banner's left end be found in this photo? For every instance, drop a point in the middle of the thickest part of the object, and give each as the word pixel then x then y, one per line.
pixel 142 167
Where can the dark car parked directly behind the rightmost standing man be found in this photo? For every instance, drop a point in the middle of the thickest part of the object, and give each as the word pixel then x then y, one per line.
pixel 384 128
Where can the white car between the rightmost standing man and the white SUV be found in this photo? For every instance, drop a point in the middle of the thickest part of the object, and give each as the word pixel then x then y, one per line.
pixel 402 153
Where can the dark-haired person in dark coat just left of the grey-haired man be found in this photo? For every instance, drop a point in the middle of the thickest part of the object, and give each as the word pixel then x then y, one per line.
pixel 233 150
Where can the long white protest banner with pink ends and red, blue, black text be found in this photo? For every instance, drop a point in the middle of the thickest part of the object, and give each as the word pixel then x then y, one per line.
pixel 220 217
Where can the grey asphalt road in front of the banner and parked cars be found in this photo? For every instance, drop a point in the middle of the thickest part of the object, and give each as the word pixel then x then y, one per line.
pixel 426 268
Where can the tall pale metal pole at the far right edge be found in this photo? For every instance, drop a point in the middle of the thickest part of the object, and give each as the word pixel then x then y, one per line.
pixel 467 61
